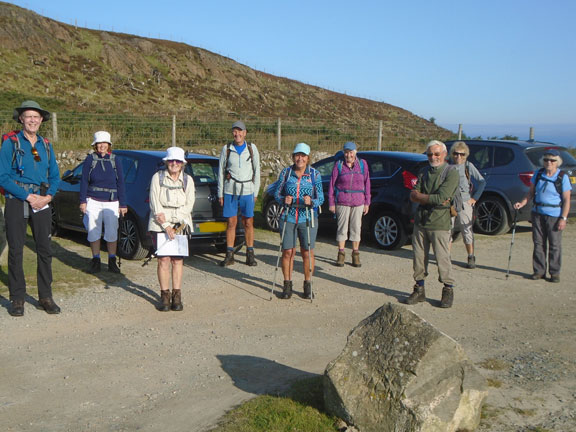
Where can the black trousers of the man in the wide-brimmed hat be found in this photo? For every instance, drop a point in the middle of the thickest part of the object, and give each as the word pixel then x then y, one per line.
pixel 16 224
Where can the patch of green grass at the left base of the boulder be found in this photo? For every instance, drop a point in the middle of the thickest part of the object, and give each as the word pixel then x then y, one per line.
pixel 299 410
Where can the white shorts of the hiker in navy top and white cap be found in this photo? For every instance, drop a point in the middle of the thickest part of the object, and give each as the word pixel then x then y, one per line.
pixel 101 216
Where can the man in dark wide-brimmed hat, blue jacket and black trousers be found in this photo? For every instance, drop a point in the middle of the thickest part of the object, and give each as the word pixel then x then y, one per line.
pixel 30 177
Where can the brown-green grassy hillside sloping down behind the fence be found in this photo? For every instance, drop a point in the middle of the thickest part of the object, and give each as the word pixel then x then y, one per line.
pixel 68 68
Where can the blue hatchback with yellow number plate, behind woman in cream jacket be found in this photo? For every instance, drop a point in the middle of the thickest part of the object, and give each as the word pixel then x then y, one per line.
pixel 139 167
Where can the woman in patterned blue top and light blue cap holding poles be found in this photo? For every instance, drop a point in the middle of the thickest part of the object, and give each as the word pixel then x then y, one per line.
pixel 300 191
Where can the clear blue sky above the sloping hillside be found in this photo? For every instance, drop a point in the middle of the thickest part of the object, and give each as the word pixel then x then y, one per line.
pixel 497 67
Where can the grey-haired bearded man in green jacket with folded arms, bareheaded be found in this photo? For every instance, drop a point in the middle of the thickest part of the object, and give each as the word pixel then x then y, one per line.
pixel 436 186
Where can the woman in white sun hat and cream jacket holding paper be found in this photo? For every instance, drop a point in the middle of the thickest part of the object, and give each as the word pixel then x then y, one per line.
pixel 172 197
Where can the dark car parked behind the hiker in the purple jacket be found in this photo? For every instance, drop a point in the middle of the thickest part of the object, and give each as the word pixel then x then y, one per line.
pixel 392 177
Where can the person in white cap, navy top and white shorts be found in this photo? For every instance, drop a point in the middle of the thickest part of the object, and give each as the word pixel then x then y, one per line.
pixel 102 200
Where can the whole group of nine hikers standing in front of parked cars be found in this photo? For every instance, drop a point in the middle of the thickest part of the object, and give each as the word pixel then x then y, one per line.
pixel 444 197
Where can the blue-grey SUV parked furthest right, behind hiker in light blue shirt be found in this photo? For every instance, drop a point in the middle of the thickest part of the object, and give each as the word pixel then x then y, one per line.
pixel 508 167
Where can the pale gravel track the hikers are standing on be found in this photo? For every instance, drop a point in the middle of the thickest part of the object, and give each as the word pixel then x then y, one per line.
pixel 110 361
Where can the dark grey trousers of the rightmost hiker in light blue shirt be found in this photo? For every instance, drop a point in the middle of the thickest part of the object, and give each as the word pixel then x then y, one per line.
pixel 545 234
